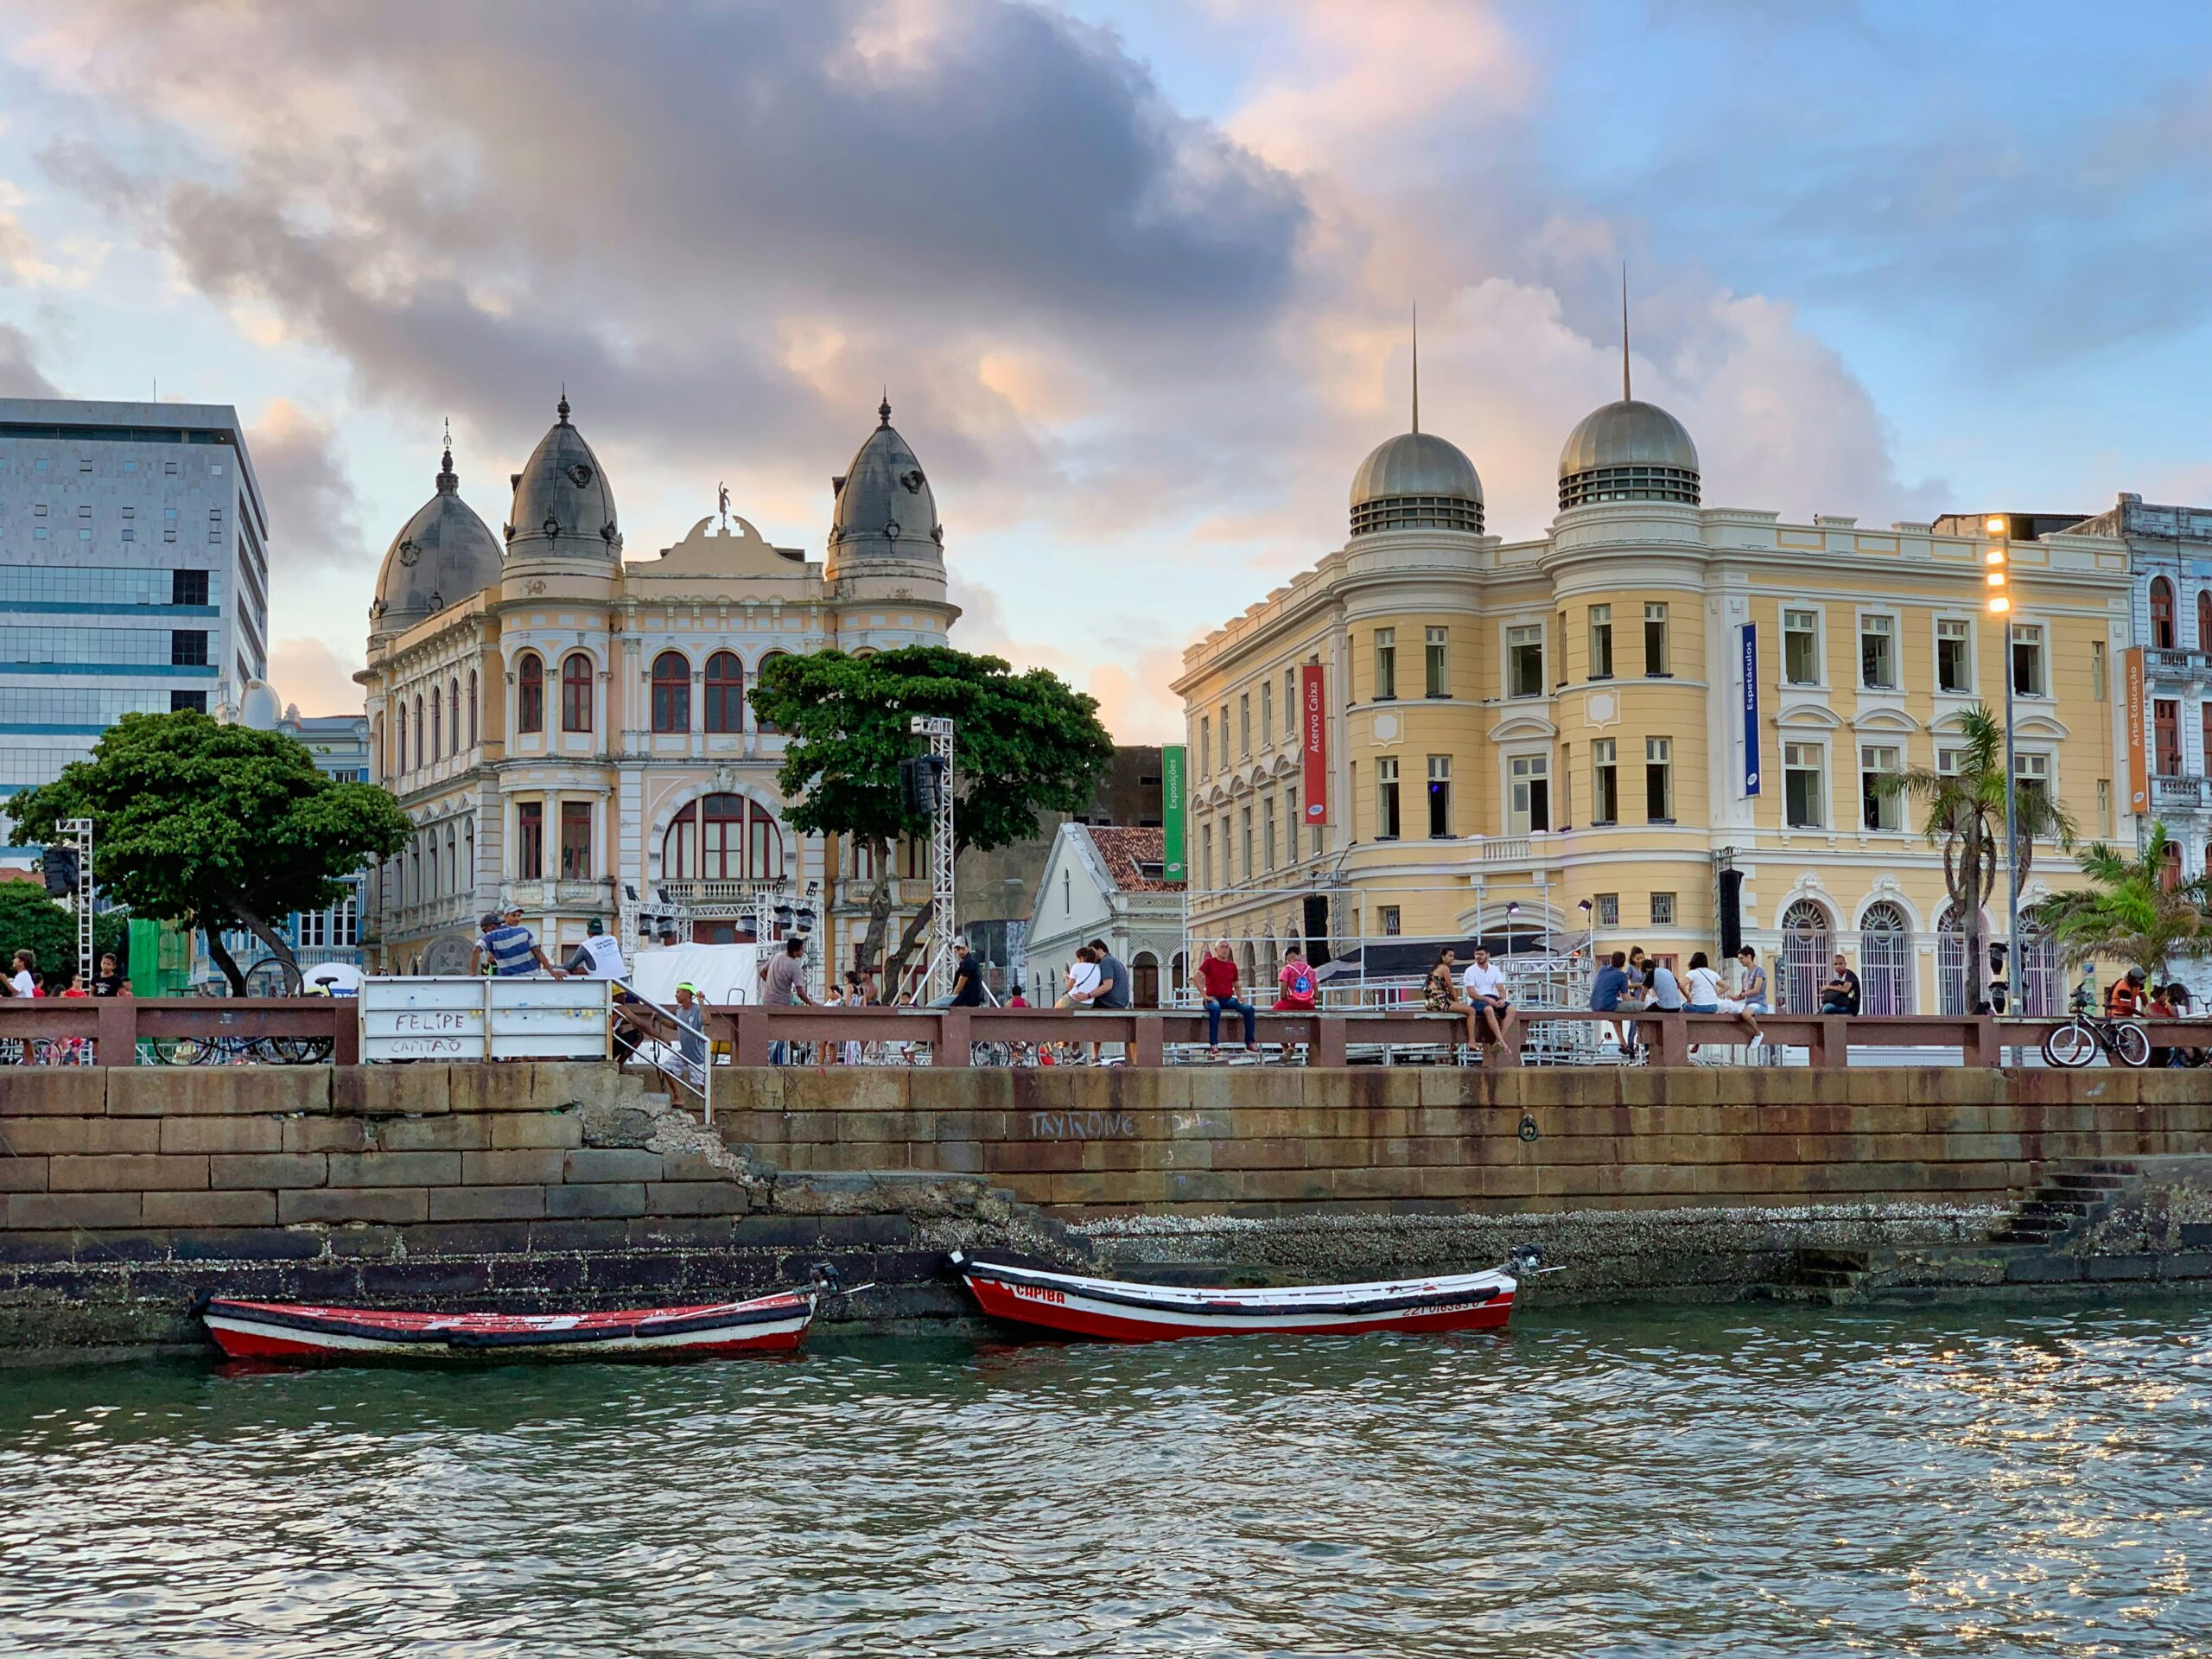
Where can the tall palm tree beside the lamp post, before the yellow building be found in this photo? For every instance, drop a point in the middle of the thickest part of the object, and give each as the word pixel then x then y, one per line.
pixel 1965 817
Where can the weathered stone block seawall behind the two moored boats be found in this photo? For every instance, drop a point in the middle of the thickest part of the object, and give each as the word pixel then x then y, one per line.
pixel 530 1187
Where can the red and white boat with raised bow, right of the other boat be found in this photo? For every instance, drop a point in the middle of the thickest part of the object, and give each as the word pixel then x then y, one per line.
pixel 1129 1313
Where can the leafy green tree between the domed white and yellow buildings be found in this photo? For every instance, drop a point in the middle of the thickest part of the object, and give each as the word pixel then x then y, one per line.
pixel 1023 744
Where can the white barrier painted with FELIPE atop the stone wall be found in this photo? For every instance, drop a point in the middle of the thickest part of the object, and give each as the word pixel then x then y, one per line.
pixel 486 1019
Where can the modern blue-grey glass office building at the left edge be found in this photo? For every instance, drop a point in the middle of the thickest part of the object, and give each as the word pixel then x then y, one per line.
pixel 134 572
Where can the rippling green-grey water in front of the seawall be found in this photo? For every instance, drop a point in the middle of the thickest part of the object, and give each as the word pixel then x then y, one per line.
pixel 1656 1483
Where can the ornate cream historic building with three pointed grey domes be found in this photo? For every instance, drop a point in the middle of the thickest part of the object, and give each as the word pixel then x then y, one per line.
pixel 574 733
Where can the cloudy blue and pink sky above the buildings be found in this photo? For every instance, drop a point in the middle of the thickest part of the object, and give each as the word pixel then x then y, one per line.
pixel 1138 275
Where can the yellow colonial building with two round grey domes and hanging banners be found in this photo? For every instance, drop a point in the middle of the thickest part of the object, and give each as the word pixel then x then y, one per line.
pixel 1642 720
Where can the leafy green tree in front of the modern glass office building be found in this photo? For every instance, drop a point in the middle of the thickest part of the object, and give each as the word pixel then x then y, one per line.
pixel 216 826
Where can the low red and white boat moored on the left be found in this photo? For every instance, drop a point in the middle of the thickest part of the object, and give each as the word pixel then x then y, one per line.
pixel 771 1324
